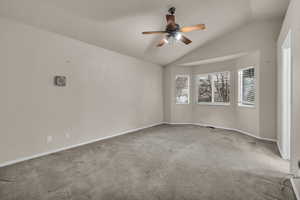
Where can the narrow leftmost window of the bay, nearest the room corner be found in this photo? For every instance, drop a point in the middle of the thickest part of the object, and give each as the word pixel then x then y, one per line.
pixel 182 89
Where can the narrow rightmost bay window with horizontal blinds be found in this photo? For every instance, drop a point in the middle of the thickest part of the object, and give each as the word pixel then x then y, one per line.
pixel 247 84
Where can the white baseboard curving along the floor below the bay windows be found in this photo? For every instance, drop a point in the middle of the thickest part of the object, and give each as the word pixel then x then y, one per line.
pixel 225 128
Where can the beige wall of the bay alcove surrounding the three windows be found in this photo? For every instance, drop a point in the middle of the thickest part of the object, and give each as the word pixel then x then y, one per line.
pixel 228 116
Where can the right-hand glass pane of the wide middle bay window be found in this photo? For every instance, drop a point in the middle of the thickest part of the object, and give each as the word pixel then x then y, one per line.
pixel 222 87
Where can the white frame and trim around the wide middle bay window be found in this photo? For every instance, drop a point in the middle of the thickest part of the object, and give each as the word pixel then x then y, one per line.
pixel 213 103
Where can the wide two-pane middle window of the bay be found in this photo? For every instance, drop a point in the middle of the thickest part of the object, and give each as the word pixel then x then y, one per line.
pixel 213 88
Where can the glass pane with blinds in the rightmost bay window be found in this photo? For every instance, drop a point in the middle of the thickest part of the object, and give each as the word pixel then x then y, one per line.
pixel 248 86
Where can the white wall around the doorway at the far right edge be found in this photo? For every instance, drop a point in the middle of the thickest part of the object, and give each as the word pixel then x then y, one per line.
pixel 292 23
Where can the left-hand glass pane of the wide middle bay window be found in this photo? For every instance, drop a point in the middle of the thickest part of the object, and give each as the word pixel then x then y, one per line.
pixel 204 88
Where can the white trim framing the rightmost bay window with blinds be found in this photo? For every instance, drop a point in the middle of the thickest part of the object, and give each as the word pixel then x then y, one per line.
pixel 242 103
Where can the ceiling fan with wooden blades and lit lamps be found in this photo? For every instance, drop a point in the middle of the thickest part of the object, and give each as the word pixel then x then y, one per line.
pixel 174 31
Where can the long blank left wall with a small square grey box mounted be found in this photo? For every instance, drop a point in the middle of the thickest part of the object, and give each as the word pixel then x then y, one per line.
pixel 106 92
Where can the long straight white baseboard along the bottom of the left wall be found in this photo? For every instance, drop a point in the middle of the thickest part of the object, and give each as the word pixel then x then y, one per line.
pixel 76 145
